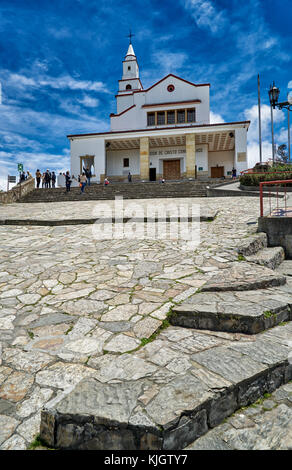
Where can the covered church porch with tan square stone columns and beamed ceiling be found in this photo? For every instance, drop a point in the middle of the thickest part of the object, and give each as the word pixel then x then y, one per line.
pixel 172 157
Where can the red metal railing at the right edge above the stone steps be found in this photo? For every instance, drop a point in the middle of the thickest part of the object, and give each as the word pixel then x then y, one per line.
pixel 279 209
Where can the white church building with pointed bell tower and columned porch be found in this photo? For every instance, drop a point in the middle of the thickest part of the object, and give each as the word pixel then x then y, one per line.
pixel 162 131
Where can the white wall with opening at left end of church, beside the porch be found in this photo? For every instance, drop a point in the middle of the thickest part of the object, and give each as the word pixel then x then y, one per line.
pixel 88 146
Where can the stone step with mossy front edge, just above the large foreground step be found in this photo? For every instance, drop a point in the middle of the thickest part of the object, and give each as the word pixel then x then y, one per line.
pixel 248 312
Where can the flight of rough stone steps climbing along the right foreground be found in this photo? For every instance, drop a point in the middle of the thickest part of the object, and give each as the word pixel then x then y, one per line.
pixel 214 375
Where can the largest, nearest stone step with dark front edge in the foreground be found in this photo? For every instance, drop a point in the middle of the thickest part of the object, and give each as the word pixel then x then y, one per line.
pixel 167 396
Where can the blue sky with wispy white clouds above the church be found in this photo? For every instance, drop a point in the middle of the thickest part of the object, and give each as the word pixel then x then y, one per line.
pixel 60 62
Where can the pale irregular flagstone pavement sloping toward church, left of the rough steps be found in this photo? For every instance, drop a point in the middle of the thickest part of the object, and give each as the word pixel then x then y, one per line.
pixel 67 299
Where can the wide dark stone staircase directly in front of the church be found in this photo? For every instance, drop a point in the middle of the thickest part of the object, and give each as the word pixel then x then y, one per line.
pixel 135 190
